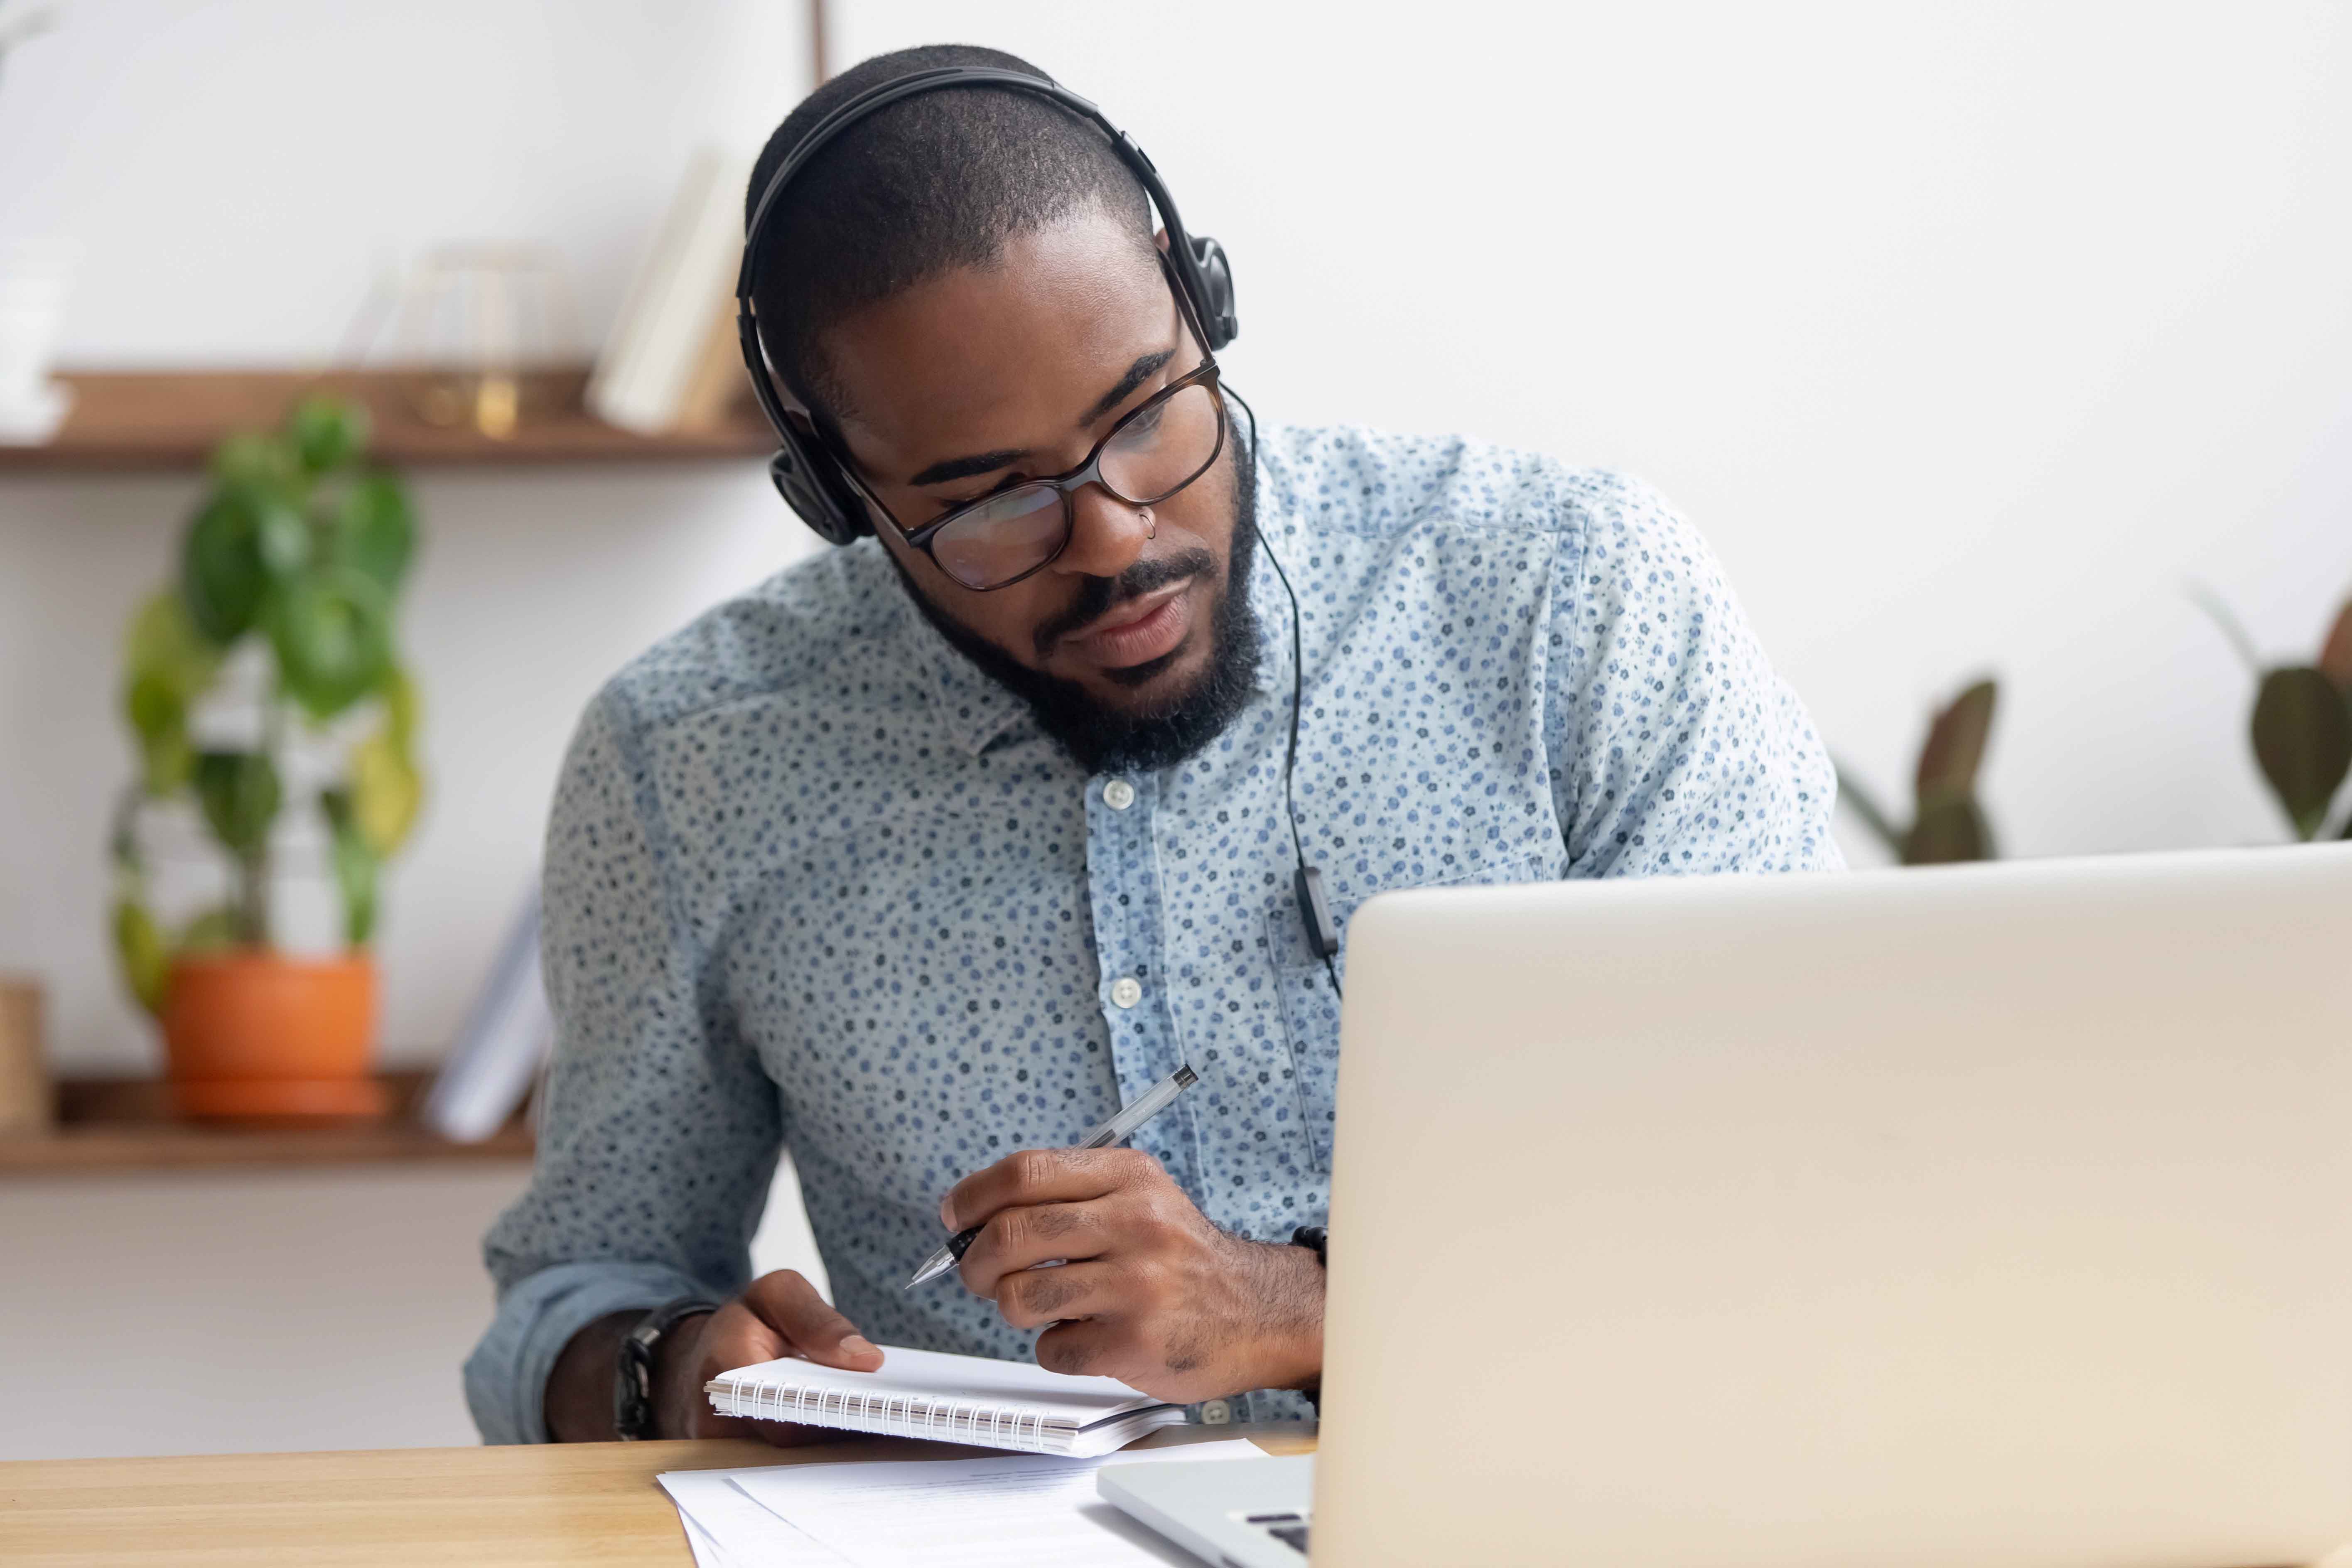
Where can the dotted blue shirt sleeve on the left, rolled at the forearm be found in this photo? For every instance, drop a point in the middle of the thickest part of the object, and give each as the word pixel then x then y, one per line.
pixel 660 1130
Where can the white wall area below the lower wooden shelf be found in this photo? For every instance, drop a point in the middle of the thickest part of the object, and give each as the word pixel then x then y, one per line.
pixel 260 1311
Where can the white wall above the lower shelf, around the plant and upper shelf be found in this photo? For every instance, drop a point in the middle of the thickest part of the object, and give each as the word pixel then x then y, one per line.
pixel 239 175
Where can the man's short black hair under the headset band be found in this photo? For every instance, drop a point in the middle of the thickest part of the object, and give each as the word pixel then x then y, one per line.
pixel 918 189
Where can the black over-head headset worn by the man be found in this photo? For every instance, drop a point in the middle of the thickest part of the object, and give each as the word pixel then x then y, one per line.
pixel 806 469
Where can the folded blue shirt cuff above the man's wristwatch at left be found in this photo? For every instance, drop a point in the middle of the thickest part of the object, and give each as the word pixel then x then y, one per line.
pixel 507 1376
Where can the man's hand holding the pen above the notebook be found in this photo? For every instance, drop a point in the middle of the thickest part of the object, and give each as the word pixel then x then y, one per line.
pixel 1149 1292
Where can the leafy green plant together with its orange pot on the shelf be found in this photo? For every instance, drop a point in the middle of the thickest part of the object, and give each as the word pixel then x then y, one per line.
pixel 265 685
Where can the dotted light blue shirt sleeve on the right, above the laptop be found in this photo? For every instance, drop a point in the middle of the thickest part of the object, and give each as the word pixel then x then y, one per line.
pixel 1676 746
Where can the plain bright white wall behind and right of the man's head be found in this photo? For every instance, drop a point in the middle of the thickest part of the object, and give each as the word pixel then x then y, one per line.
pixel 1965 333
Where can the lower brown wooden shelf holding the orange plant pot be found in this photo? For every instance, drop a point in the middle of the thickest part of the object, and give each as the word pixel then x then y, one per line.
pixel 126 1125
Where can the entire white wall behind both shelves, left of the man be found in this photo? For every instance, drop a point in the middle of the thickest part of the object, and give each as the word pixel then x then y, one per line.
pixel 239 175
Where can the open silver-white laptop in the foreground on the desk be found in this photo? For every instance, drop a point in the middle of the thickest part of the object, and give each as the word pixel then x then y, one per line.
pixel 1984 1217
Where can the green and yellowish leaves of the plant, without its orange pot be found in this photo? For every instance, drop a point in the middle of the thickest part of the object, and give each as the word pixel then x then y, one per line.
pixel 290 570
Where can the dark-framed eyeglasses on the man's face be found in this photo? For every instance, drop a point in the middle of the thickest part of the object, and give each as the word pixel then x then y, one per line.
pixel 1144 460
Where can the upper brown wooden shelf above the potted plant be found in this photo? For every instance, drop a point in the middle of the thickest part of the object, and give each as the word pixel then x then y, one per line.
pixel 173 420
